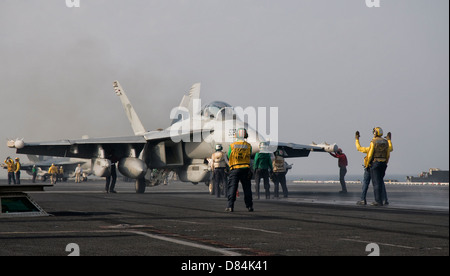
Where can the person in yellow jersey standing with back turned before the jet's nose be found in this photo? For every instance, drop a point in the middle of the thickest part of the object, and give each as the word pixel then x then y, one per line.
pixel 239 155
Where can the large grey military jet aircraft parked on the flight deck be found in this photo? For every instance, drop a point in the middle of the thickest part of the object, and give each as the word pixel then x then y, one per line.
pixel 183 147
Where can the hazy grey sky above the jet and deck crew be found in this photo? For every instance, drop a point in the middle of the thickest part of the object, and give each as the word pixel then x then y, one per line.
pixel 330 67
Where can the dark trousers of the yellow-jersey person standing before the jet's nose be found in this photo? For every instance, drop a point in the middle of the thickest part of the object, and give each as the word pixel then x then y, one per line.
pixel 234 177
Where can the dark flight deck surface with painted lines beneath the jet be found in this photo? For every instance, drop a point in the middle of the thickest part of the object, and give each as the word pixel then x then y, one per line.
pixel 182 219
